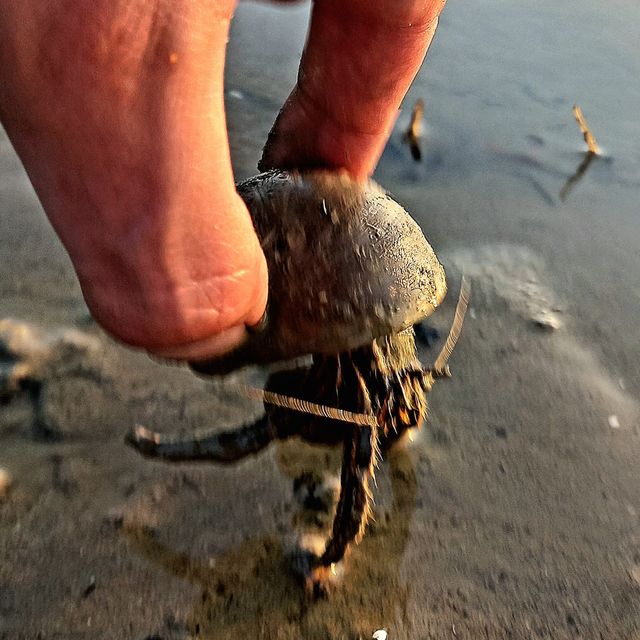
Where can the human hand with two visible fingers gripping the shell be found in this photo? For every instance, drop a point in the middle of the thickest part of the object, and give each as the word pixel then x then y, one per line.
pixel 116 111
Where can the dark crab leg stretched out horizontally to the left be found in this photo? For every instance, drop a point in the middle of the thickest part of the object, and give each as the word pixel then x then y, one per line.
pixel 228 446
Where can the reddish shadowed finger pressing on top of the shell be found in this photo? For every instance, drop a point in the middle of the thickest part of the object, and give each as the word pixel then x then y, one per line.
pixel 359 60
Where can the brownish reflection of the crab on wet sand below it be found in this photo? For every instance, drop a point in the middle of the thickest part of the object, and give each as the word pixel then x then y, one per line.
pixel 251 590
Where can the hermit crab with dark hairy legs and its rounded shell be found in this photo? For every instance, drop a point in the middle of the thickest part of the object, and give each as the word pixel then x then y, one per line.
pixel 350 274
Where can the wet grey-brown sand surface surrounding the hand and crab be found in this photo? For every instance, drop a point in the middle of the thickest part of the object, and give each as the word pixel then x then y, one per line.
pixel 515 514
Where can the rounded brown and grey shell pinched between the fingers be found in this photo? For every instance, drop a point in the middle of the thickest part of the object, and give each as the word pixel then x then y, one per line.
pixel 347 264
